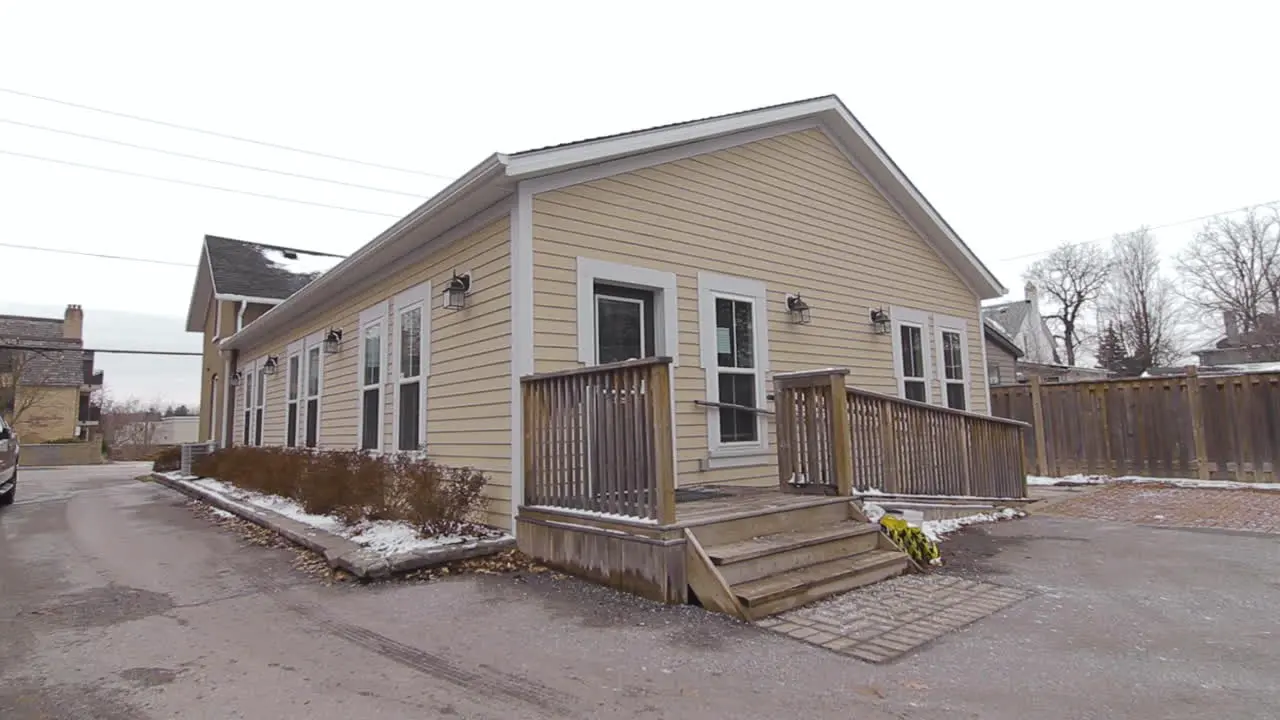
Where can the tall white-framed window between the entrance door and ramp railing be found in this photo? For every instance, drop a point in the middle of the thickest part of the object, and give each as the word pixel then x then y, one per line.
pixel 734 338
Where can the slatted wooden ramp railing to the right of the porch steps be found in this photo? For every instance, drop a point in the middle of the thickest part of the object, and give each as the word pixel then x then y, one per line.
pixel 836 440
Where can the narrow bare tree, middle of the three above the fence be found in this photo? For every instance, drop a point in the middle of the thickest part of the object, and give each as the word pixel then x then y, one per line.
pixel 1140 302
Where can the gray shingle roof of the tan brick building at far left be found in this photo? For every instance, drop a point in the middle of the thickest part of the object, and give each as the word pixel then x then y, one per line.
pixel 43 367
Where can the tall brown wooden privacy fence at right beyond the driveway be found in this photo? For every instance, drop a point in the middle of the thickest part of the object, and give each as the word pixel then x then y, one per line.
pixel 1209 427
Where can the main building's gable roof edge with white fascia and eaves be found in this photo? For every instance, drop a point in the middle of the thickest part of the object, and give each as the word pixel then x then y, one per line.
pixel 495 180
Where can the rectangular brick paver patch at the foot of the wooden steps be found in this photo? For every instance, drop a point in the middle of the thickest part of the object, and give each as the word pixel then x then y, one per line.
pixel 889 619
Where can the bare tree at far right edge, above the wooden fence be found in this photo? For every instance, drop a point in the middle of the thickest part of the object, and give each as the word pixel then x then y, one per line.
pixel 1233 267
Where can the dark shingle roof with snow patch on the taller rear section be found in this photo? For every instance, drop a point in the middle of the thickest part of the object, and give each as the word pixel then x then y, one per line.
pixel 254 270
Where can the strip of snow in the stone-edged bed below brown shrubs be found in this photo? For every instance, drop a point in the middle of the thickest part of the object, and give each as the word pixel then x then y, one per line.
pixel 385 537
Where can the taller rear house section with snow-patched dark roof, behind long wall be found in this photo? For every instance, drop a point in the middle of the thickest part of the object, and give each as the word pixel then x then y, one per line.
pixel 236 284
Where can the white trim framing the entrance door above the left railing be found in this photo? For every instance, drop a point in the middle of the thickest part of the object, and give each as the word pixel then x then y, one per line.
pixel 592 271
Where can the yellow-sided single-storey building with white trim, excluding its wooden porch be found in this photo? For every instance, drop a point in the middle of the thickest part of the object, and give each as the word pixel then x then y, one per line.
pixel 687 241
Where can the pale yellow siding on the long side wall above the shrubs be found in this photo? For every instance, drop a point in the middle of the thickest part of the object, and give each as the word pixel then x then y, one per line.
pixel 469 386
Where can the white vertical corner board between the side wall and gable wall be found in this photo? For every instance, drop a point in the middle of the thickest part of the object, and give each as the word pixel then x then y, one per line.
pixel 522 335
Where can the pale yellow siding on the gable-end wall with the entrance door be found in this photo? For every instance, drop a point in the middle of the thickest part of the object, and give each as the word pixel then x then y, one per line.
pixel 790 212
